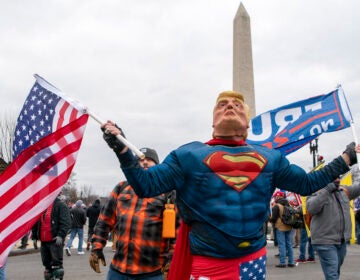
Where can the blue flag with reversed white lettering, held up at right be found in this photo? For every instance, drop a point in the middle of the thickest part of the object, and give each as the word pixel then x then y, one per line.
pixel 292 126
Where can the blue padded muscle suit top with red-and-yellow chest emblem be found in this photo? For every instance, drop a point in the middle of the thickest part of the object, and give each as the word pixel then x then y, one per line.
pixel 224 192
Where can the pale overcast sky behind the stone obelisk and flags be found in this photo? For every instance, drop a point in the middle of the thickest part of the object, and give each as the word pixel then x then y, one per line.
pixel 156 67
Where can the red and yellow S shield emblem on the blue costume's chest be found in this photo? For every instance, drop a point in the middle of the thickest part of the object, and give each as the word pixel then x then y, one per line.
pixel 236 170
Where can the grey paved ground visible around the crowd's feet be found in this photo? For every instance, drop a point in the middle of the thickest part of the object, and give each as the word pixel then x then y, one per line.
pixel 28 266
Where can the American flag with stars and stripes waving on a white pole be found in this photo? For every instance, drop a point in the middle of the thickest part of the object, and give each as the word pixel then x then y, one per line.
pixel 48 135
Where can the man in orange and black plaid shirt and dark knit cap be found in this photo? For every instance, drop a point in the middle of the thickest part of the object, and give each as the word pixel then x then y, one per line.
pixel 141 251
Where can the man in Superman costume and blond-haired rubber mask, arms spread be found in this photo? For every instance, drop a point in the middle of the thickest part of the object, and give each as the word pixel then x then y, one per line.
pixel 224 188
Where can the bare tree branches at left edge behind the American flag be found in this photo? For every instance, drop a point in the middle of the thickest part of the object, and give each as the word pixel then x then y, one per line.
pixel 7 129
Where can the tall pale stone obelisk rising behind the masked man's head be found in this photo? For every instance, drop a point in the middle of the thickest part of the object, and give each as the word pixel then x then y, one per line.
pixel 243 73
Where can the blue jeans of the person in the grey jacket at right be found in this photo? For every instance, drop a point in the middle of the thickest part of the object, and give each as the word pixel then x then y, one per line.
pixel 331 258
